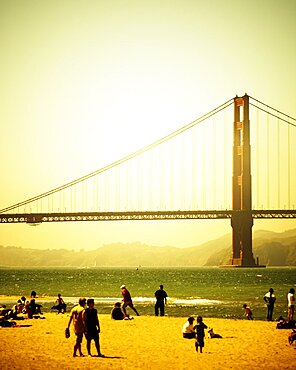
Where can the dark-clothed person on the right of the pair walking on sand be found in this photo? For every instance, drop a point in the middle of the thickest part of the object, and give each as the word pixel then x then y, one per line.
pixel 92 326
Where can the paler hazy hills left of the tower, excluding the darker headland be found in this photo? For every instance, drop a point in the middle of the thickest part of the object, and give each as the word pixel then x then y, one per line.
pixel 129 255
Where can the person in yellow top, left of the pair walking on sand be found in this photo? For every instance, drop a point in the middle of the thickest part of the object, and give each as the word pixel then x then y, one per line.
pixel 76 317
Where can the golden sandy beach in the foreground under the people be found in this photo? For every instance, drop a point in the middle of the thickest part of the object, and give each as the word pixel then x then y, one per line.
pixel 147 342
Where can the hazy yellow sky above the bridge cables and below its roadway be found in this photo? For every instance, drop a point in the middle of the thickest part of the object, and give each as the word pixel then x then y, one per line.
pixel 83 83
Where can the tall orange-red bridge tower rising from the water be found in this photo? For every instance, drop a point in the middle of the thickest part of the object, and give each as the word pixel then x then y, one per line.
pixel 242 220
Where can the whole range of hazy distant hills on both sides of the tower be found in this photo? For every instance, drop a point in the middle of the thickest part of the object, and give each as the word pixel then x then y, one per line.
pixel 273 249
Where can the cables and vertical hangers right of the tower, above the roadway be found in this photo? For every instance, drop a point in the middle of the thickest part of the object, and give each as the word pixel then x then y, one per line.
pixel 273 178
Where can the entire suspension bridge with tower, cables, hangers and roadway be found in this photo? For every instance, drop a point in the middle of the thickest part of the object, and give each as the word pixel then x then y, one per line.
pixel 236 162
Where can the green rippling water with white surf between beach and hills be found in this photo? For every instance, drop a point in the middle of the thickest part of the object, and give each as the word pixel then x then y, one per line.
pixel 209 292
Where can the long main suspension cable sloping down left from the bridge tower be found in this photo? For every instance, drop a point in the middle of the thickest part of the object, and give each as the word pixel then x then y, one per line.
pixel 124 159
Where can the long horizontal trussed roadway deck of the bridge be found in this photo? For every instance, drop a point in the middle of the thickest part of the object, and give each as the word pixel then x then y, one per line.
pixel 37 218
